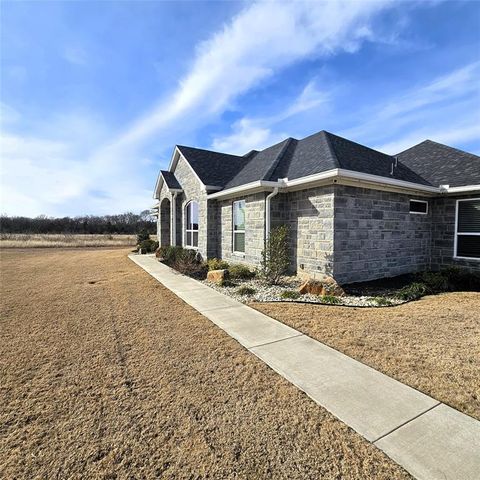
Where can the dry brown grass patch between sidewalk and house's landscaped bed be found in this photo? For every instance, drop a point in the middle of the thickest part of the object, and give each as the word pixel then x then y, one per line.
pixel 432 344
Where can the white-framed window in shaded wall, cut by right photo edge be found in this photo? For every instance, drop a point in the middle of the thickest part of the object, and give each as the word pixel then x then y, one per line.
pixel 467 229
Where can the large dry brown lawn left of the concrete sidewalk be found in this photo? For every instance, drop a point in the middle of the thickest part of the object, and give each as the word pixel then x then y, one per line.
pixel 105 374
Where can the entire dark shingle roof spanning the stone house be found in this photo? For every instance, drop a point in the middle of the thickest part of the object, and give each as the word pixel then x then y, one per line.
pixel 428 163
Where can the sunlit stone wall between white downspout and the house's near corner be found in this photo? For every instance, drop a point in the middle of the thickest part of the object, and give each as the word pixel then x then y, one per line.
pixel 309 214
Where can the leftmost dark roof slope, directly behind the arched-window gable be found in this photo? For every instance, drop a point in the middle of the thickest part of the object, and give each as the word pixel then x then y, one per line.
pixel 213 168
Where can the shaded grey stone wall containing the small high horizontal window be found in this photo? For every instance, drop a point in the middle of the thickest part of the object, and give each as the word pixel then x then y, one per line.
pixel 376 236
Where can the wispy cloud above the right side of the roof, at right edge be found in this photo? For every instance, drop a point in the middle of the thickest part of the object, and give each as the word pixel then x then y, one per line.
pixel 442 109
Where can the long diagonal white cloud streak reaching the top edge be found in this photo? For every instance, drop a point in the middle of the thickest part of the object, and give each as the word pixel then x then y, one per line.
pixel 261 39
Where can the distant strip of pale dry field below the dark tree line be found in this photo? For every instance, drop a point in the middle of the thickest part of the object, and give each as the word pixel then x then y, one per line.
pixel 26 240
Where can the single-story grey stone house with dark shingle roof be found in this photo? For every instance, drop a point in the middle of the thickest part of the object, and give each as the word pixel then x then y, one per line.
pixel 354 213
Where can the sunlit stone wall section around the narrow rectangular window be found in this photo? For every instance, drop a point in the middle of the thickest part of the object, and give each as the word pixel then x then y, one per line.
pixel 254 229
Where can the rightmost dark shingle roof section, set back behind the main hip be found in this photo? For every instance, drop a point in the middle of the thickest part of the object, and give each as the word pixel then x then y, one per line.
pixel 442 165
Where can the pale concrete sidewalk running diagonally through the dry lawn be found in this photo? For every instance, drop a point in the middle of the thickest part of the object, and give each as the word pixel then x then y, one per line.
pixel 429 439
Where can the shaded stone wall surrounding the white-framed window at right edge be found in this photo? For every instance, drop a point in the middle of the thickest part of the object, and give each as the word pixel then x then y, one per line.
pixel 443 235
